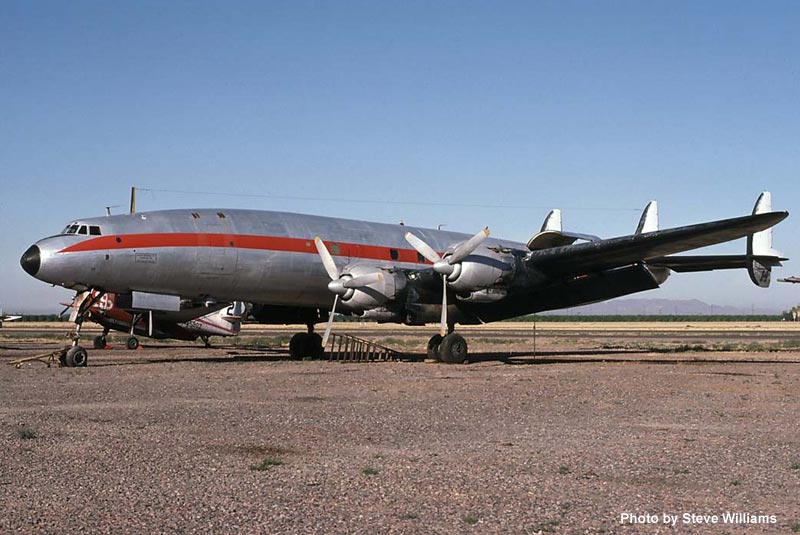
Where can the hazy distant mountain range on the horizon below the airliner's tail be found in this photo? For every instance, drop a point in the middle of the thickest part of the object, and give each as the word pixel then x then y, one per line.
pixel 657 307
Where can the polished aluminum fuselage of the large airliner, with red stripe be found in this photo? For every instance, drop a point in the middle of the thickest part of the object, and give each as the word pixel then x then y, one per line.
pixel 227 255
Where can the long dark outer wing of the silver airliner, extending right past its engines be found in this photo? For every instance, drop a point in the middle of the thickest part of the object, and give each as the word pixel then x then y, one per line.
pixel 616 252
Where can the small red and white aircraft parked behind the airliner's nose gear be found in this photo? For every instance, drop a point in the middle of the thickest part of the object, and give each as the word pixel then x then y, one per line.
pixel 117 313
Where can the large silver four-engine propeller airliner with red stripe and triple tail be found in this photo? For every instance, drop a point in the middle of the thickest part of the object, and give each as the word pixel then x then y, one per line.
pixel 296 268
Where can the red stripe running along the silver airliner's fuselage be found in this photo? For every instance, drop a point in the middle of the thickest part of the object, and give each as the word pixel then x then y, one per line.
pixel 241 241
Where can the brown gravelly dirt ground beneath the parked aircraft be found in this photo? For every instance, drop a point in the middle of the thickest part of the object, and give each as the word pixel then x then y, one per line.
pixel 606 428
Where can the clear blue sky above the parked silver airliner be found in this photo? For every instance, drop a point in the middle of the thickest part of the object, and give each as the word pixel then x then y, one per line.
pixel 595 107
